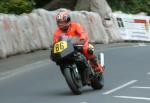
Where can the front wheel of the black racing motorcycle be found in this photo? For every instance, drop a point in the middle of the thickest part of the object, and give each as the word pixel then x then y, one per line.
pixel 73 79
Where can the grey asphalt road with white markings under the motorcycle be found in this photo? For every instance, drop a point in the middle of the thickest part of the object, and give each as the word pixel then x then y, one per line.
pixel 127 78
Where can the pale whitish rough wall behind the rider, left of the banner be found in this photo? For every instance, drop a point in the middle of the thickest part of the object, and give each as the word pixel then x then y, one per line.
pixel 27 32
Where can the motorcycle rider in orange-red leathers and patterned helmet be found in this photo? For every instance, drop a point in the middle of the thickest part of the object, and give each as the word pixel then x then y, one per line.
pixel 71 29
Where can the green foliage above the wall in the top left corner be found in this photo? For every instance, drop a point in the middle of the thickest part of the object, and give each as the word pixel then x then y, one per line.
pixel 15 6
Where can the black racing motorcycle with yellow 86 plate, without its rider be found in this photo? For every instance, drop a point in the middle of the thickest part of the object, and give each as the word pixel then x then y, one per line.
pixel 74 66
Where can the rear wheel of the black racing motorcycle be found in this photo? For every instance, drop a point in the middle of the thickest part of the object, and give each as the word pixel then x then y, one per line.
pixel 98 82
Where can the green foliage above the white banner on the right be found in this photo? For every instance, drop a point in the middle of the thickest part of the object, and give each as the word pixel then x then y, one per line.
pixel 130 6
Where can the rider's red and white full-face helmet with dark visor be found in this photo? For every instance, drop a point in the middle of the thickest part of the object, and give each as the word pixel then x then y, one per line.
pixel 63 20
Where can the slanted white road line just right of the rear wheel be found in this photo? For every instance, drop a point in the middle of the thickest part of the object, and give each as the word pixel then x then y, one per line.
pixel 120 87
